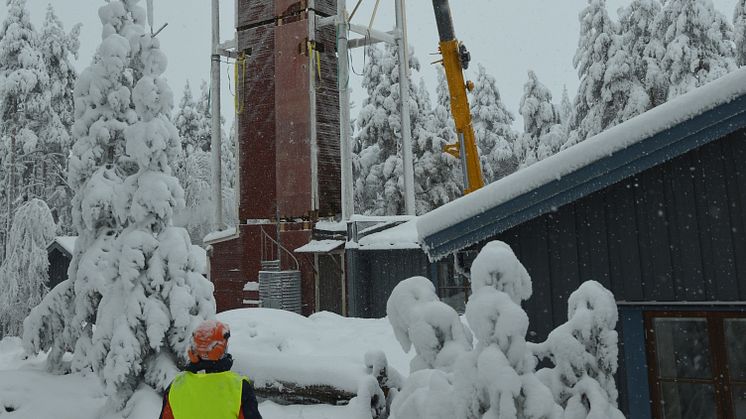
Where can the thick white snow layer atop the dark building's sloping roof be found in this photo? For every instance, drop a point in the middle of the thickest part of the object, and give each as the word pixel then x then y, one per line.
pixel 605 144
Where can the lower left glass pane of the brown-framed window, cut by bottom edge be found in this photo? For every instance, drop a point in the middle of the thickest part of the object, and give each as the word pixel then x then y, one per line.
pixel 688 401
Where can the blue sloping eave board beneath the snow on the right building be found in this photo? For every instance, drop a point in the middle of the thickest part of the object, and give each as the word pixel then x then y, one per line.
pixel 627 162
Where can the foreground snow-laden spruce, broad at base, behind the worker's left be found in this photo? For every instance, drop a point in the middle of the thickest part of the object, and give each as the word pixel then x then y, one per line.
pixel 159 296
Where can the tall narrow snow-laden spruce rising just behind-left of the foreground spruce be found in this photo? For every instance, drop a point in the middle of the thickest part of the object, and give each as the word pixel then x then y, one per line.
pixel 103 109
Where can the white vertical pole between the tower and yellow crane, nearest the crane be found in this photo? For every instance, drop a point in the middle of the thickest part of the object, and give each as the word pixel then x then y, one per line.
pixel 407 159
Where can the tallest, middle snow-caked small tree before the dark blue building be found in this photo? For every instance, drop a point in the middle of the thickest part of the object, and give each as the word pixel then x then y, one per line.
pixel 497 379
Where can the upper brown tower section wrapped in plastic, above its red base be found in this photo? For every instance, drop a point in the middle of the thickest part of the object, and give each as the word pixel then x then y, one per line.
pixel 275 152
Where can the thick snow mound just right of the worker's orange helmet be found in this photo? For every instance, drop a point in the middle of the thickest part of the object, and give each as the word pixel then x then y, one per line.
pixel 322 349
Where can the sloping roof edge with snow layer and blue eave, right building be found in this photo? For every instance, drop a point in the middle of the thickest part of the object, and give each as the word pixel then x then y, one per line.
pixel 710 112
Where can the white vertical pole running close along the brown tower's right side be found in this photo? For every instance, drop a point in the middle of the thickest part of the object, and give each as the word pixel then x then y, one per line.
pixel 345 131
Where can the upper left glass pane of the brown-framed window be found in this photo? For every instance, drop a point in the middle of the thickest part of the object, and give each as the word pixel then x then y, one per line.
pixel 683 348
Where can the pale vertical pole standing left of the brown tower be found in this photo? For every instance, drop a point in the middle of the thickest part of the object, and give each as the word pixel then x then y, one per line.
pixel 217 170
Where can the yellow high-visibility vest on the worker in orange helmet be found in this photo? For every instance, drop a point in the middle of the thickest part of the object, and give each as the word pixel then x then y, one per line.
pixel 200 396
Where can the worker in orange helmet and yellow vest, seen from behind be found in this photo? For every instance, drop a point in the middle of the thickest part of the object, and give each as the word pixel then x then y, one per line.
pixel 208 389
